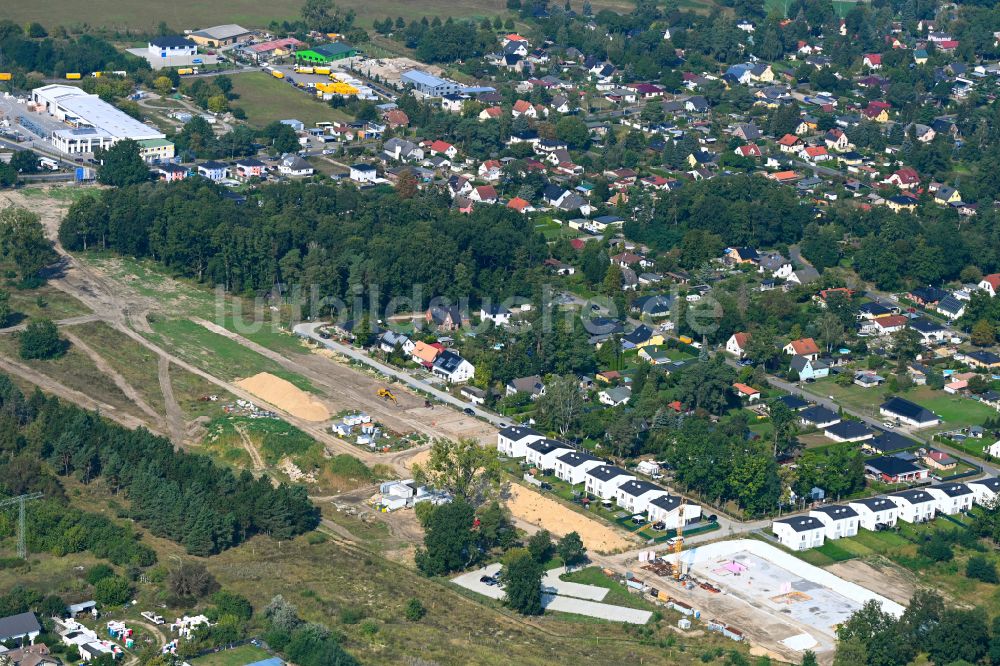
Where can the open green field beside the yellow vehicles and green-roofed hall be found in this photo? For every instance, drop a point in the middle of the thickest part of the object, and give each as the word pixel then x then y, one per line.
pixel 266 99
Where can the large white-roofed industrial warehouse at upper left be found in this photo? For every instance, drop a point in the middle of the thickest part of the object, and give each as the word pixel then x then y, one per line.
pixel 92 123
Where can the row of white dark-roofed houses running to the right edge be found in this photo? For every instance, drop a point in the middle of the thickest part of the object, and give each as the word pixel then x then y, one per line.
pixel 916 505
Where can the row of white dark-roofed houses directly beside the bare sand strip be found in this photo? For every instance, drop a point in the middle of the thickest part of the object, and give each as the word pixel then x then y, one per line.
pixel 599 478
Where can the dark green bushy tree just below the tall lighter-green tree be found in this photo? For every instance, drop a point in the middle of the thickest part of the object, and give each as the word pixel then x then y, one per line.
pixel 448 539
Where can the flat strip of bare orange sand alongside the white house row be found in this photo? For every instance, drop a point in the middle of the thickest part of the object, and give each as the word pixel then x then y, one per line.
pixel 536 509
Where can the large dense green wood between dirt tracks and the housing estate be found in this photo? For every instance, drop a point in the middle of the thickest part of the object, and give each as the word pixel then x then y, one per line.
pixel 333 238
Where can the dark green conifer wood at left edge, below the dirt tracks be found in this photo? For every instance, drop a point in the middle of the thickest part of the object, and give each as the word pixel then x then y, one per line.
pixel 183 497
